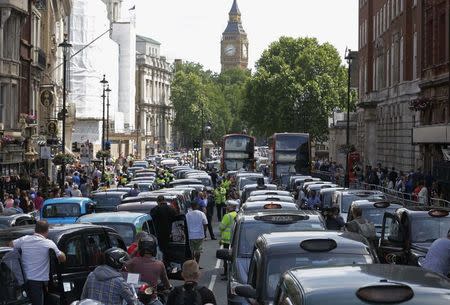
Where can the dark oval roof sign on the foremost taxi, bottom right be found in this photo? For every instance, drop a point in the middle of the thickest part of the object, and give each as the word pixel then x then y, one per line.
pixel 385 293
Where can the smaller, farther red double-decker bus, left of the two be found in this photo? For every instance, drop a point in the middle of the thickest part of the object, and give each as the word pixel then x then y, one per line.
pixel 238 152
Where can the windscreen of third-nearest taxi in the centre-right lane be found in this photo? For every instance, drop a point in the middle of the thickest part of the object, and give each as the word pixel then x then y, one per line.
pixel 251 230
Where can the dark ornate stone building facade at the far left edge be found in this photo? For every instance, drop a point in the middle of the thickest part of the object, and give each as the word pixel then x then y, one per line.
pixel 30 32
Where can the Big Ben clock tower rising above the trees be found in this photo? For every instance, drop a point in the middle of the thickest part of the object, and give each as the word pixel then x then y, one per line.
pixel 234 44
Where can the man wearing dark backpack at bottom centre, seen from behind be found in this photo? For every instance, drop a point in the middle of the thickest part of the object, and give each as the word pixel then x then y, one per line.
pixel 190 293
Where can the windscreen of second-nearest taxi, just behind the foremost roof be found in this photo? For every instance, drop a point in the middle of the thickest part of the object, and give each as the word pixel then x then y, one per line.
pixel 280 264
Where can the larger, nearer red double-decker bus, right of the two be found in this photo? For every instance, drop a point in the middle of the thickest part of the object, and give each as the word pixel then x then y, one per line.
pixel 289 154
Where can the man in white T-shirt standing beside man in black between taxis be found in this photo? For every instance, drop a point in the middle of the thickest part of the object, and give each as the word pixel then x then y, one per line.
pixel 196 222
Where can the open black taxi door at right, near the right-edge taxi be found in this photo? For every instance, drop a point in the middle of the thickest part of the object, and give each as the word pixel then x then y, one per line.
pixel 391 248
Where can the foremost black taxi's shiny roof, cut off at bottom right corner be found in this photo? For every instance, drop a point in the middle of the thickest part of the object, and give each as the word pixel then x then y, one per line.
pixel 362 285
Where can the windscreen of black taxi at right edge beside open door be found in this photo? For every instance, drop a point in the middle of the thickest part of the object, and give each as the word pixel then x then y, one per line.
pixel 428 229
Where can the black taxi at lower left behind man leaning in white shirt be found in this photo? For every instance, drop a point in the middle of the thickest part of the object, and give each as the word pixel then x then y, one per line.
pixel 83 245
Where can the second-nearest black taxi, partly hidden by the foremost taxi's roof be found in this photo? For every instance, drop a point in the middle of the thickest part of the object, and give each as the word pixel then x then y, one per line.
pixel 275 253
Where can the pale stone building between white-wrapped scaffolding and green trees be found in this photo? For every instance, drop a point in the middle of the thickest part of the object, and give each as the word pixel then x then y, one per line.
pixel 155 112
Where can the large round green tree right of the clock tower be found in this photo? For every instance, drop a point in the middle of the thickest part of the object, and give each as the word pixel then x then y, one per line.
pixel 297 84
